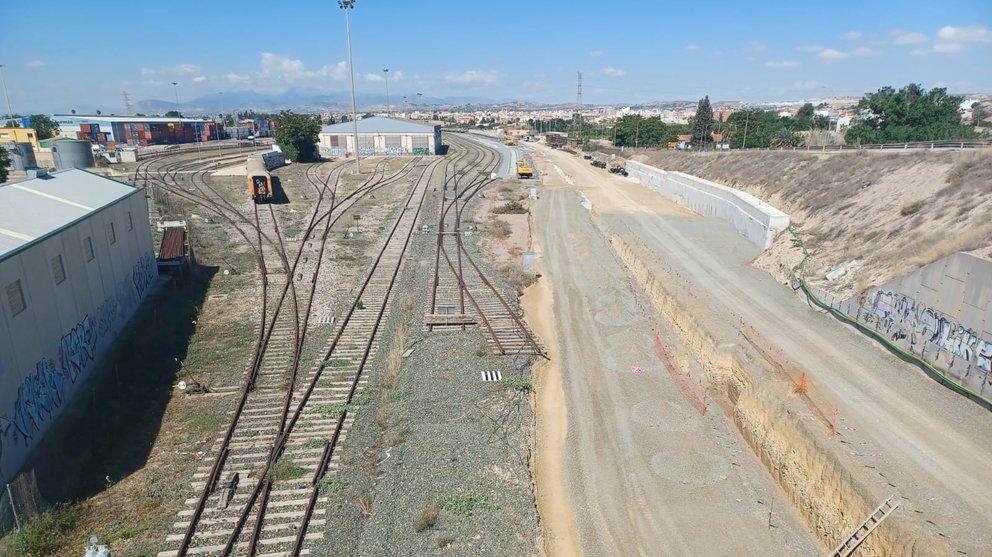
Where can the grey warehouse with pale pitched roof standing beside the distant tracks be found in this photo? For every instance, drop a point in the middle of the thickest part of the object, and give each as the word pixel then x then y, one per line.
pixel 380 136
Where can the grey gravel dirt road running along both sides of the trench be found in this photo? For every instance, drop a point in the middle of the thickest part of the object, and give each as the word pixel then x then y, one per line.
pixel 645 473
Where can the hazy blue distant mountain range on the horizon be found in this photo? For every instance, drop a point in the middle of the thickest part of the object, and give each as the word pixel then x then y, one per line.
pixel 231 101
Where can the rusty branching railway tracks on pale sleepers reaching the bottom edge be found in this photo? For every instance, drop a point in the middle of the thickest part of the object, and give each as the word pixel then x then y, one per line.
pixel 286 423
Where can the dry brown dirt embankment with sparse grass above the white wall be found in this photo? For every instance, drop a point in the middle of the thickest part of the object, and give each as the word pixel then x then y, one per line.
pixel 891 212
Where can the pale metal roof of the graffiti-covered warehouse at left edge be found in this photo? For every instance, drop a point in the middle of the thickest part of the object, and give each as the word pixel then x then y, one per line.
pixel 36 208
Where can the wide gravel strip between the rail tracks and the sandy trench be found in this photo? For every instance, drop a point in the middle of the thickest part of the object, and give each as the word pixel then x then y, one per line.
pixel 646 474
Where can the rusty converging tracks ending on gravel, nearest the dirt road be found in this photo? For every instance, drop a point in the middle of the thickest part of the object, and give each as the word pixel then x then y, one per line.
pixel 462 294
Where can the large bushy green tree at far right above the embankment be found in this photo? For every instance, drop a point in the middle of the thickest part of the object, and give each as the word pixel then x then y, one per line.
pixel 909 114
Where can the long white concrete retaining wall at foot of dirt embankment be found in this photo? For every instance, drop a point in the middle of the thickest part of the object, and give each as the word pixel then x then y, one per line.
pixel 753 218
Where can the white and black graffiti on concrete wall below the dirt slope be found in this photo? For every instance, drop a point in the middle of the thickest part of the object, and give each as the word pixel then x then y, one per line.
pixel 903 318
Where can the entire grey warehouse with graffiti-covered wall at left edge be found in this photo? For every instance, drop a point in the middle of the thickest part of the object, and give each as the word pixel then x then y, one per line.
pixel 76 260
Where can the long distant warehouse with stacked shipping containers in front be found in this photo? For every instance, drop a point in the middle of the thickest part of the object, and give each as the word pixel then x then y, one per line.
pixel 137 131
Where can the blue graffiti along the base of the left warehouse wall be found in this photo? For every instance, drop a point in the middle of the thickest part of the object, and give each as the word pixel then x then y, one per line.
pixel 44 391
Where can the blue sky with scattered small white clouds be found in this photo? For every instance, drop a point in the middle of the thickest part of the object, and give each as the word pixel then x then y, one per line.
pixel 83 54
